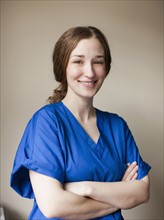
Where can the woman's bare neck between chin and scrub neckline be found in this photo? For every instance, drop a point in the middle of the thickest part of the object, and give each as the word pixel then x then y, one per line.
pixel 81 108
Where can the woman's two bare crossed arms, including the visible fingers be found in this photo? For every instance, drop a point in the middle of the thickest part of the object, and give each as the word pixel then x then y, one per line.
pixel 87 199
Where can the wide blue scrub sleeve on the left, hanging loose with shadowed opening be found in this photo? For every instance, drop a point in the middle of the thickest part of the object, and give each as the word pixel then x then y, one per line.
pixel 40 151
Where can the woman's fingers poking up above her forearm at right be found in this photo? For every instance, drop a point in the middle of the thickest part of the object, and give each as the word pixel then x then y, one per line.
pixel 131 172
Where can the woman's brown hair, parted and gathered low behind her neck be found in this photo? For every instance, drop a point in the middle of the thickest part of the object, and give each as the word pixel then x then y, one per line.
pixel 62 50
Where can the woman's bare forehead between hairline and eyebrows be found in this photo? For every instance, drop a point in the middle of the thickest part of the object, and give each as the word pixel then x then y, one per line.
pixel 88 46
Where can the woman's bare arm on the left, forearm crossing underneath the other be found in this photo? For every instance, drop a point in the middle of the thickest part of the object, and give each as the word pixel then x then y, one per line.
pixel 54 201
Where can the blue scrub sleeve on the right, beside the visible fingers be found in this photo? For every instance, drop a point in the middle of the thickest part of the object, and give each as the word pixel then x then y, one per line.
pixel 132 153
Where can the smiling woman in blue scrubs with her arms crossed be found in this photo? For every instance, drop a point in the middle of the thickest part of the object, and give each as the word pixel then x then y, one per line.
pixel 76 161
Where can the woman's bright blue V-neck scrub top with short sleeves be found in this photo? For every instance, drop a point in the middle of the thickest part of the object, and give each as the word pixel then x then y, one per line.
pixel 55 144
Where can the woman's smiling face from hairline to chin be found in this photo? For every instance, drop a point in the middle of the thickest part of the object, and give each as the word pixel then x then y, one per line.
pixel 86 68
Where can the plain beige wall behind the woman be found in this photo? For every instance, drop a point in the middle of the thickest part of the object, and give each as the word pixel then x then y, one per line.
pixel 134 88
